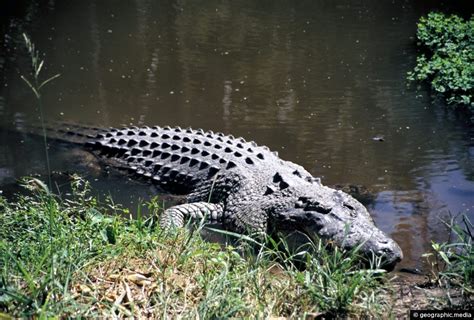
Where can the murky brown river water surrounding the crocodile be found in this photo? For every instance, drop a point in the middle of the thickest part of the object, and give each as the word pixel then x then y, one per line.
pixel 315 80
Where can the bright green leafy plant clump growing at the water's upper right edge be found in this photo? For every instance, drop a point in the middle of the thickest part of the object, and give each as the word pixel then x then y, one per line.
pixel 448 63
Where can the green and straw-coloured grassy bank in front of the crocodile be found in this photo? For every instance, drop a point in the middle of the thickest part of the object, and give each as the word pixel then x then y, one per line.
pixel 98 262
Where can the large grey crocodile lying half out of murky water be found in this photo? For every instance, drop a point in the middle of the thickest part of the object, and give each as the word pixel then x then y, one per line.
pixel 243 186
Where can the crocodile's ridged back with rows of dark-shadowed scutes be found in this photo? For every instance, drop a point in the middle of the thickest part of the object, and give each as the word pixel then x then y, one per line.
pixel 179 159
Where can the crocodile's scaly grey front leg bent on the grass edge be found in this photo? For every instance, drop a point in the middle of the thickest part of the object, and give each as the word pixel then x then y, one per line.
pixel 177 215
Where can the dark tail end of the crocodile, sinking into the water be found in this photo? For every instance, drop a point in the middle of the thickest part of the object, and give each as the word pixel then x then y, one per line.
pixel 66 132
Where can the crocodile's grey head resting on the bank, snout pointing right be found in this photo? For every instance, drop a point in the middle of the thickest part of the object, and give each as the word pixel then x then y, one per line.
pixel 341 220
